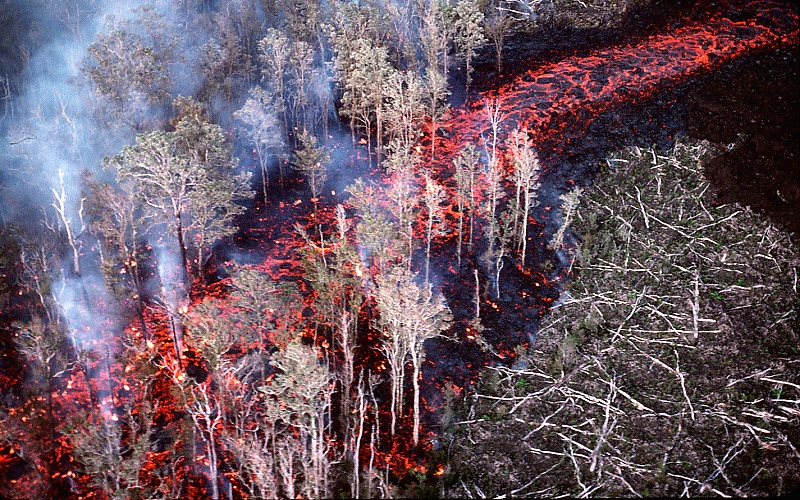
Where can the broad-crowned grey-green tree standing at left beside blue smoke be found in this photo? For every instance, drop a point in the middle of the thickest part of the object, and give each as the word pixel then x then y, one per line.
pixel 186 179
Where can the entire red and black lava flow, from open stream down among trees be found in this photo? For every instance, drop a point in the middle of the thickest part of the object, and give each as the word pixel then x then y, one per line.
pixel 554 102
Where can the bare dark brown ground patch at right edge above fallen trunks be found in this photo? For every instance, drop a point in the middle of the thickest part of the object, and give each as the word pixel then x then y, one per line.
pixel 754 105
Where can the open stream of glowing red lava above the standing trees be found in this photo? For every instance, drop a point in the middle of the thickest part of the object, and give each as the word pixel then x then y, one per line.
pixel 596 82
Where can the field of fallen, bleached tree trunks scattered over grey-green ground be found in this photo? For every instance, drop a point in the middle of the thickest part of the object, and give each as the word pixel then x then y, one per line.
pixel 669 368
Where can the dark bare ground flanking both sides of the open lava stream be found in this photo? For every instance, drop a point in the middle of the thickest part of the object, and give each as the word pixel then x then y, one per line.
pixel 752 103
